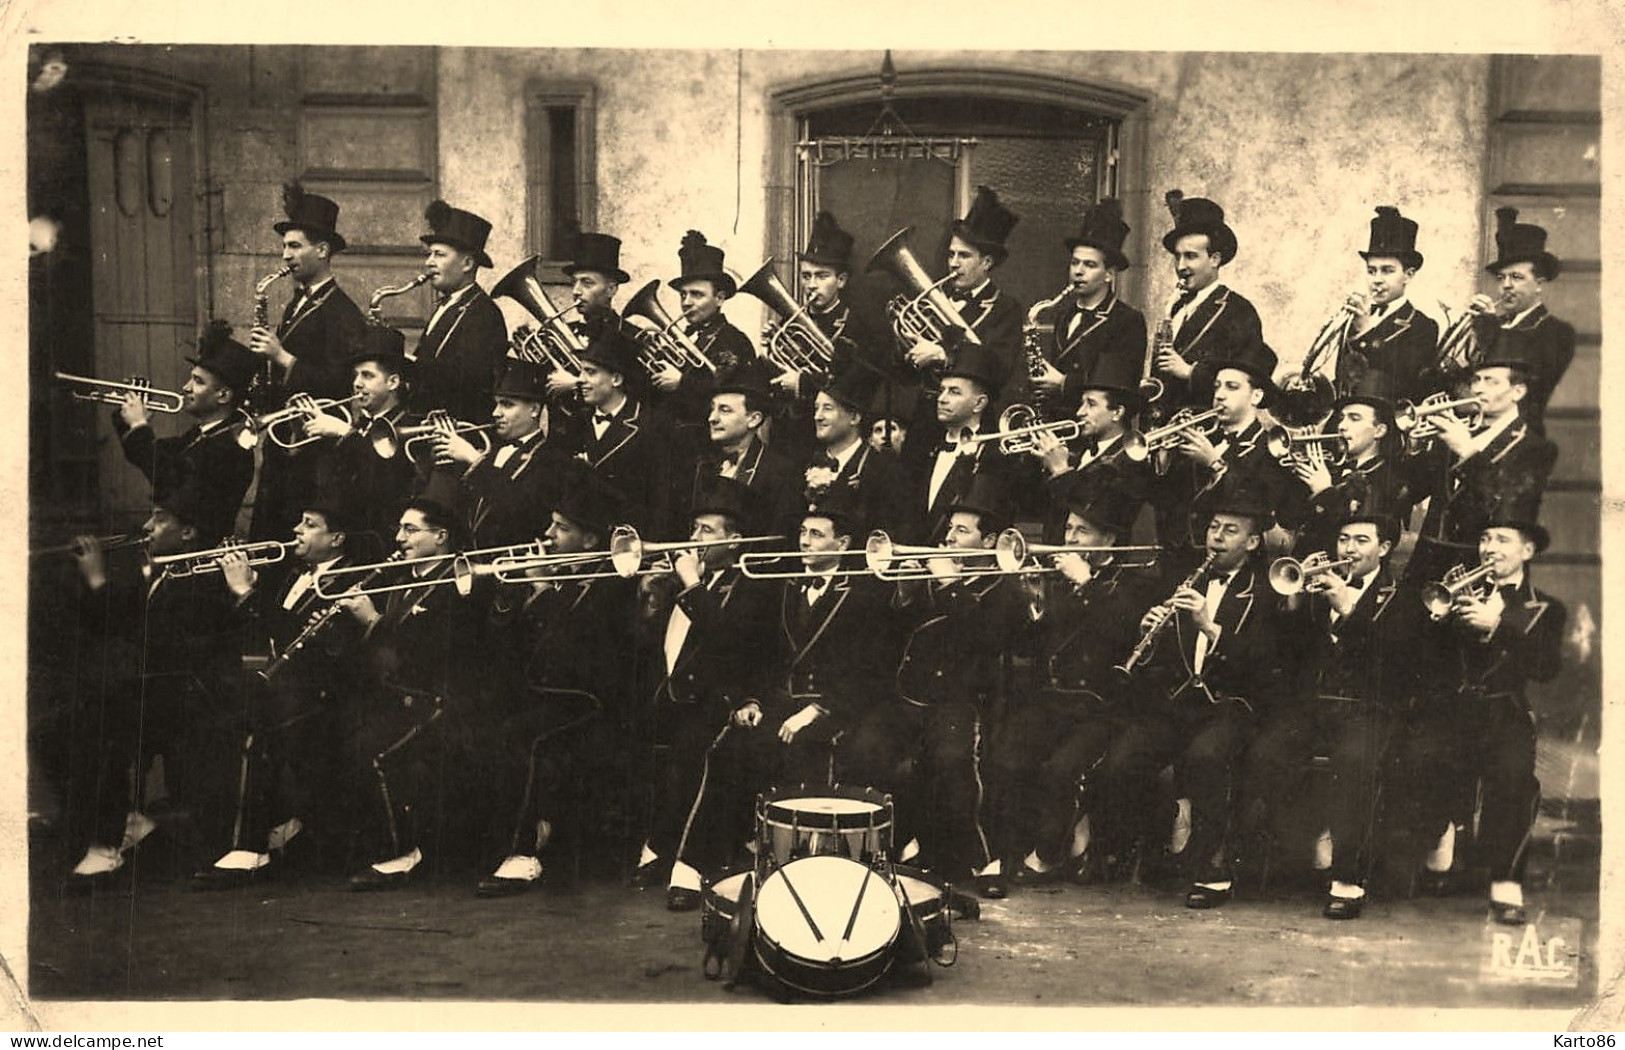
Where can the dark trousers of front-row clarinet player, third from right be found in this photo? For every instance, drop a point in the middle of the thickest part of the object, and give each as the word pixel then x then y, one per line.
pixel 1205 745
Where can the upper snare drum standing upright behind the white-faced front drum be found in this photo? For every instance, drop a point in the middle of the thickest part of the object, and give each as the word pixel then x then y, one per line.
pixel 841 822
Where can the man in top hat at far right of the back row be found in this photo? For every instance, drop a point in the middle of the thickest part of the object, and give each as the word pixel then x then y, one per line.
pixel 1517 326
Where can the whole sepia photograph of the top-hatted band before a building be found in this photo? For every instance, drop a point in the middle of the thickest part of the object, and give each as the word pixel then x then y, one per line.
pixel 872 526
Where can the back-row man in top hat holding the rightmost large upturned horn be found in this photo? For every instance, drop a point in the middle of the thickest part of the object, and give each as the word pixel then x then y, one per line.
pixel 974 251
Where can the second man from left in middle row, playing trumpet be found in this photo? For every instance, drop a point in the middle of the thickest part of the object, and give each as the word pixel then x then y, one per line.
pixel 368 469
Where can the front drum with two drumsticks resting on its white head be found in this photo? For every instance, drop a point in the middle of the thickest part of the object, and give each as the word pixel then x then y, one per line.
pixel 826 926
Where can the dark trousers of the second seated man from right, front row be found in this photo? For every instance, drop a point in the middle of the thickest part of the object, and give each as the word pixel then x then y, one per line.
pixel 1354 737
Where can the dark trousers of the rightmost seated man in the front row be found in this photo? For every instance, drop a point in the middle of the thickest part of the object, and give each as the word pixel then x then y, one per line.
pixel 1447 747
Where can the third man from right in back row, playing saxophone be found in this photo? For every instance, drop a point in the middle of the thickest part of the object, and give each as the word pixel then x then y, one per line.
pixel 1207 319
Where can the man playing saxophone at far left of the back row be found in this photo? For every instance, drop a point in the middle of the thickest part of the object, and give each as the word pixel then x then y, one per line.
pixel 306 354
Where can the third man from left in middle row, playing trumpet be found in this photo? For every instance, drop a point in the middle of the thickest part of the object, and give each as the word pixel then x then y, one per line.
pixel 506 493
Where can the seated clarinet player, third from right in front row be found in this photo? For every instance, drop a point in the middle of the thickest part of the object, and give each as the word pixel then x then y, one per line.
pixel 1195 700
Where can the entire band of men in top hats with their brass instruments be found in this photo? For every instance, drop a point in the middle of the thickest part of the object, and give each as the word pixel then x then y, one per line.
pixel 895 553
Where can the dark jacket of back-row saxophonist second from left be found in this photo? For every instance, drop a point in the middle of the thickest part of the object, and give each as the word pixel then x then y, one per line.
pixel 461 358
